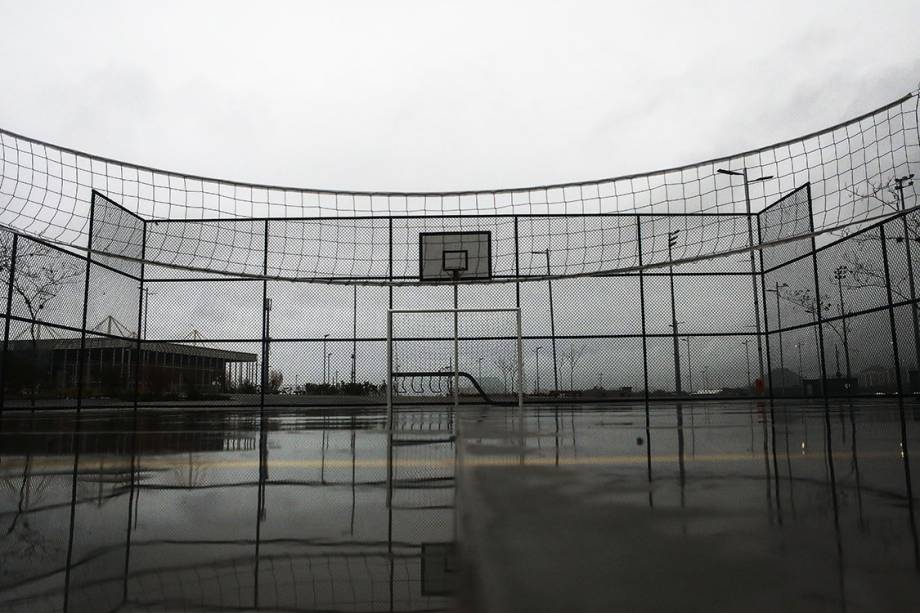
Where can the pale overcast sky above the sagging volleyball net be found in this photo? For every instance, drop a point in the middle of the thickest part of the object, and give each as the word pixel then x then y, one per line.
pixel 442 95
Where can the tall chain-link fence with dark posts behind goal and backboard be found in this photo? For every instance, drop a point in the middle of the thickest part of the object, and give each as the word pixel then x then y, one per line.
pixel 796 319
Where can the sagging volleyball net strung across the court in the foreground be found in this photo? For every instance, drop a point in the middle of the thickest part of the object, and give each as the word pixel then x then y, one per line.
pixel 852 168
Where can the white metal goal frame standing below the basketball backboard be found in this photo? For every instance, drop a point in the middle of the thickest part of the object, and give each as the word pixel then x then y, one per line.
pixel 429 343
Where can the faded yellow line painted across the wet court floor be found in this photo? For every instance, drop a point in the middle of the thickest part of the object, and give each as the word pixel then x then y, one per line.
pixel 14 468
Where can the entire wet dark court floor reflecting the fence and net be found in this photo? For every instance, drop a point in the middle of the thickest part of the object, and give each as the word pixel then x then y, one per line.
pixel 560 508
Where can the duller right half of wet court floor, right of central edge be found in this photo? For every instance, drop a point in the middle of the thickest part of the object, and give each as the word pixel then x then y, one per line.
pixel 711 508
